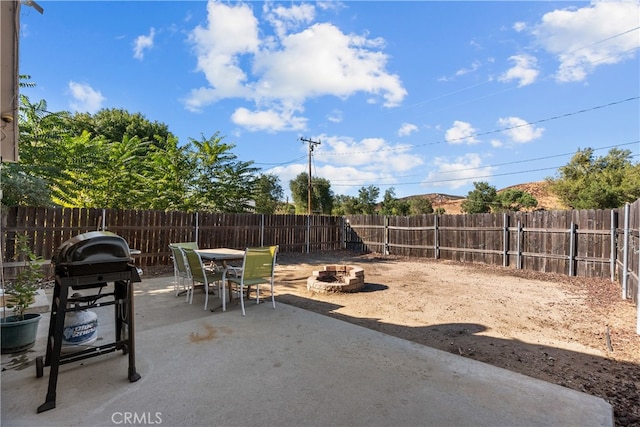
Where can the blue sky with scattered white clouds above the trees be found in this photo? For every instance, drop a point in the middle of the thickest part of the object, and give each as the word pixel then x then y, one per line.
pixel 418 96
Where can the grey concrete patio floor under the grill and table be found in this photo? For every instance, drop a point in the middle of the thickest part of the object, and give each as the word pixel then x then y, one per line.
pixel 282 367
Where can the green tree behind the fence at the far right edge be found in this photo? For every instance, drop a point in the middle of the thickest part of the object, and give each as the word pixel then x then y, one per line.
pixel 589 182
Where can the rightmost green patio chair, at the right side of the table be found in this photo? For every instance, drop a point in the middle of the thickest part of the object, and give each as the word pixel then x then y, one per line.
pixel 258 267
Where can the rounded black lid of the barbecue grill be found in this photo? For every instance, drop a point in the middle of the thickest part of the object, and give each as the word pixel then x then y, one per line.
pixel 93 247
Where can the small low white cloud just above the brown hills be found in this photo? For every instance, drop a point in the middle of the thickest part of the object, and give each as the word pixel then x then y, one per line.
pixel 461 171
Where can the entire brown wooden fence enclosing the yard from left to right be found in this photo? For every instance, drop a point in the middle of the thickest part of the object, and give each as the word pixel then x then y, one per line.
pixel 586 243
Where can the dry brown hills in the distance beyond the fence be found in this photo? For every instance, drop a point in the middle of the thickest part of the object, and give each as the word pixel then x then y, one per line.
pixel 539 190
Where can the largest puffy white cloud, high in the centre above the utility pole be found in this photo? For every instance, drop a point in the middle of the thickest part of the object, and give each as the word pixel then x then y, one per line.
pixel 322 60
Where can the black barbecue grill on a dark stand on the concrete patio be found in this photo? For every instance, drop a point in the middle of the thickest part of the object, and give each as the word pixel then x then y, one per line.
pixel 98 264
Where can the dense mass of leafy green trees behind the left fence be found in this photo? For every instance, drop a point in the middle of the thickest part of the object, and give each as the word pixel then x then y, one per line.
pixel 115 159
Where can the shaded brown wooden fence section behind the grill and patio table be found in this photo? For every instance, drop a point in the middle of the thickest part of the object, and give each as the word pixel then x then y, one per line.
pixel 152 231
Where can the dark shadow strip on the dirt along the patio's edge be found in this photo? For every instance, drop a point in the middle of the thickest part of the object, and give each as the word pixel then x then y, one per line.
pixel 616 382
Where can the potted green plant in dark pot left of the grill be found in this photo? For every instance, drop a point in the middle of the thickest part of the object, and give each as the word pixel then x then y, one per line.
pixel 19 330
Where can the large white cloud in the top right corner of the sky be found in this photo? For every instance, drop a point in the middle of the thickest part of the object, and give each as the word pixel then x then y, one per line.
pixel 588 37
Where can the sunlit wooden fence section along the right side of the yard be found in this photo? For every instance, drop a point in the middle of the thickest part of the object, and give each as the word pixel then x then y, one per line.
pixel 585 243
